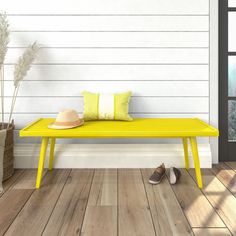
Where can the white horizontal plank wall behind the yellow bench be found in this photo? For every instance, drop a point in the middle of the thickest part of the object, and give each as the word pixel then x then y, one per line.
pixel 157 49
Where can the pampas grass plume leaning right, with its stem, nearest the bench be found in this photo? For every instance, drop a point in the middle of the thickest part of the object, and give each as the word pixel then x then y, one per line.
pixel 21 68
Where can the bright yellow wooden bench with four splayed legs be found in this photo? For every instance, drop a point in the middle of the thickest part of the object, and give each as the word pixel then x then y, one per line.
pixel 184 128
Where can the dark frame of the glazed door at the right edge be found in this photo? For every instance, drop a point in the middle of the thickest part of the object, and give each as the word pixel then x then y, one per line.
pixel 227 150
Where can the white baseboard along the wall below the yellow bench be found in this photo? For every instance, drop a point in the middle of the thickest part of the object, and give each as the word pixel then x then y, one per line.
pixel 111 155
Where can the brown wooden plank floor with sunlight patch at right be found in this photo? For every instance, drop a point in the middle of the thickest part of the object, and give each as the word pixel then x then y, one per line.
pixel 107 202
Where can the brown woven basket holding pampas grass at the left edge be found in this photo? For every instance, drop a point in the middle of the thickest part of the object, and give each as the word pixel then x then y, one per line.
pixel 8 159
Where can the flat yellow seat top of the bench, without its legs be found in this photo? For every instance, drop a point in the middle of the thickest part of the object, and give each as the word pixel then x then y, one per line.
pixel 138 128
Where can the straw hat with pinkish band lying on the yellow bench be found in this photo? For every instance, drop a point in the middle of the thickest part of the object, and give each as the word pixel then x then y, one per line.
pixel 66 119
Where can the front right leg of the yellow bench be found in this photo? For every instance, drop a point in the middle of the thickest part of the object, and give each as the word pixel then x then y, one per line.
pixel 193 142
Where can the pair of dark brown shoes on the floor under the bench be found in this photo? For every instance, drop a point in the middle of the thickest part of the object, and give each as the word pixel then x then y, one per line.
pixel 159 173
